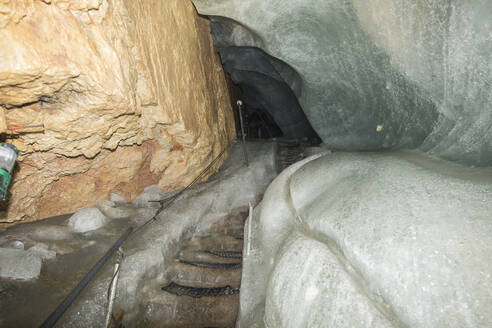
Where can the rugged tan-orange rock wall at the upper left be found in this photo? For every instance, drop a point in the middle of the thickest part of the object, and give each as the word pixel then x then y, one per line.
pixel 131 93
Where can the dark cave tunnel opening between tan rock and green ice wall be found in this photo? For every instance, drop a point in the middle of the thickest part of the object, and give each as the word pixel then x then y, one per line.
pixel 269 87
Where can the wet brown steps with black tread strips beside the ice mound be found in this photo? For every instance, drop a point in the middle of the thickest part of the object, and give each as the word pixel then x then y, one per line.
pixel 204 279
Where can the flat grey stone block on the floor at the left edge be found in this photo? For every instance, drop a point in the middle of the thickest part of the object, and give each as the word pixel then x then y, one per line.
pixel 19 264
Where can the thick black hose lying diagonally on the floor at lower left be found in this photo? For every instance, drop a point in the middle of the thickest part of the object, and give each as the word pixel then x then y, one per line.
pixel 55 315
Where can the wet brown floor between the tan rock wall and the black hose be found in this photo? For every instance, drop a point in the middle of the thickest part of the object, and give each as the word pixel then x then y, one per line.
pixel 28 303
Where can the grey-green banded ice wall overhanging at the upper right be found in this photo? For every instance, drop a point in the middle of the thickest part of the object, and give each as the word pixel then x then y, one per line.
pixel 386 73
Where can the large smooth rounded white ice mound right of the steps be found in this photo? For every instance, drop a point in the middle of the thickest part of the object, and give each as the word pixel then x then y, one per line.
pixel 371 240
